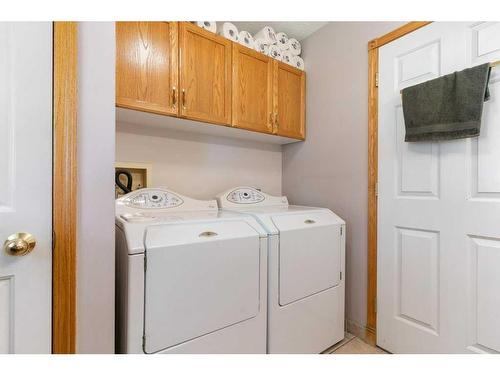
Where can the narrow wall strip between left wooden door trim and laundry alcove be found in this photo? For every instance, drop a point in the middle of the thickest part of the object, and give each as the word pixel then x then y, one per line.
pixel 96 155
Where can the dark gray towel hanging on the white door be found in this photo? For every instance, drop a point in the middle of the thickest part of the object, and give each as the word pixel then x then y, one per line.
pixel 448 107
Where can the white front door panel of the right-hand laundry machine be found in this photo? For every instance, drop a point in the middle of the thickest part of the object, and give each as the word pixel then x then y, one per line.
pixel 309 254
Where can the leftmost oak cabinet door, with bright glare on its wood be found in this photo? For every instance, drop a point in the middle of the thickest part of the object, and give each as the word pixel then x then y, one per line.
pixel 147 66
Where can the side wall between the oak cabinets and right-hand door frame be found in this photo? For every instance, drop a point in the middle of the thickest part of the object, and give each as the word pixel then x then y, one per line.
pixel 330 169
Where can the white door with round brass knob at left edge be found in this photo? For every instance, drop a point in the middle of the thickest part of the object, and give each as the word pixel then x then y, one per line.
pixel 26 185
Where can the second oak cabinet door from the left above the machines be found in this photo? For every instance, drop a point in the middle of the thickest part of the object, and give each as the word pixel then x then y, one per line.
pixel 205 75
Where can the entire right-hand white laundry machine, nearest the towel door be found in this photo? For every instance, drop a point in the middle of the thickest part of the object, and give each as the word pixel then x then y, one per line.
pixel 306 270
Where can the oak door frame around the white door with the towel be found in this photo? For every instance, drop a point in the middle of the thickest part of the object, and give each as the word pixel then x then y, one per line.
pixel 373 52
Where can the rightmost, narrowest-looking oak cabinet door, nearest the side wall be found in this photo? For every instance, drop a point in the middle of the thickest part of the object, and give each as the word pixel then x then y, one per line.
pixel 289 101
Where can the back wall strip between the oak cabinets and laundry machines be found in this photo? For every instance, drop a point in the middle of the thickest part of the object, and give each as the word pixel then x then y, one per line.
pixel 198 165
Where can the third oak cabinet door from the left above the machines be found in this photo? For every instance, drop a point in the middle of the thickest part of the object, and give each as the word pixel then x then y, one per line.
pixel 252 90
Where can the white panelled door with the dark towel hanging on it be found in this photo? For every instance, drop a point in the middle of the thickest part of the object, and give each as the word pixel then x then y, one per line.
pixel 438 205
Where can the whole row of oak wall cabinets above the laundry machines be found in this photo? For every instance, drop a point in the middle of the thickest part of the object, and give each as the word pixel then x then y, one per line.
pixel 179 69
